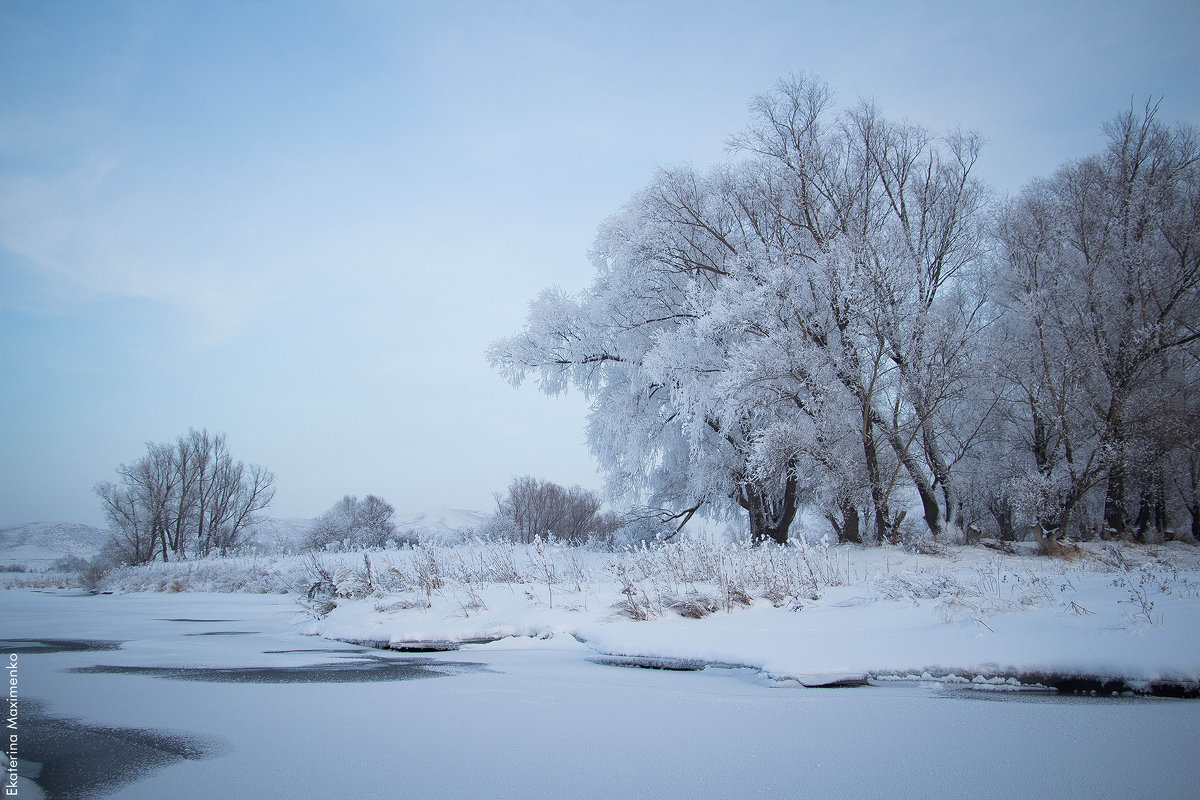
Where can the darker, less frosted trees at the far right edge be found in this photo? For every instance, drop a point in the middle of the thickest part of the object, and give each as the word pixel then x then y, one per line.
pixel 1102 288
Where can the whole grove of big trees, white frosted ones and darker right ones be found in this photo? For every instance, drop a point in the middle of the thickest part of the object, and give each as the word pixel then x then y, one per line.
pixel 842 318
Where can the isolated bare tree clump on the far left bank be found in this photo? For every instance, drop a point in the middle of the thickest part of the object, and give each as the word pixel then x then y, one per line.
pixel 183 500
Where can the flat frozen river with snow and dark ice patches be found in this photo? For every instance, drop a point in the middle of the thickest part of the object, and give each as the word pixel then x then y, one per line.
pixel 202 696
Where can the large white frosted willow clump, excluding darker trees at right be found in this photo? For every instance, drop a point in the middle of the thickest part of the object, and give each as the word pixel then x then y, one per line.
pixel 791 324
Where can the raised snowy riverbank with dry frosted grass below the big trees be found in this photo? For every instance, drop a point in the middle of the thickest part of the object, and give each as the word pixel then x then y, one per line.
pixel 809 615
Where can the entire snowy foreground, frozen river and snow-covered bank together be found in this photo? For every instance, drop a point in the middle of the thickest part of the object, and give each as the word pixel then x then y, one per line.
pixel 200 691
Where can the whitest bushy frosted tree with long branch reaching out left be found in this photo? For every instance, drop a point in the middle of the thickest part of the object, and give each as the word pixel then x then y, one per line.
pixel 655 428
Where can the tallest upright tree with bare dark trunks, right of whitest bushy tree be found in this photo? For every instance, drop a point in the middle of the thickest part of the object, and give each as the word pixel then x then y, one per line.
pixel 891 299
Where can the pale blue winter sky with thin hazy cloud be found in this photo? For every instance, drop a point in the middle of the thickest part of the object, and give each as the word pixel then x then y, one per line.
pixel 302 224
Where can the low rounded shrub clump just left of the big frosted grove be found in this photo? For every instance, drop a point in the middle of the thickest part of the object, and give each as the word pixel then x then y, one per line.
pixel 541 509
